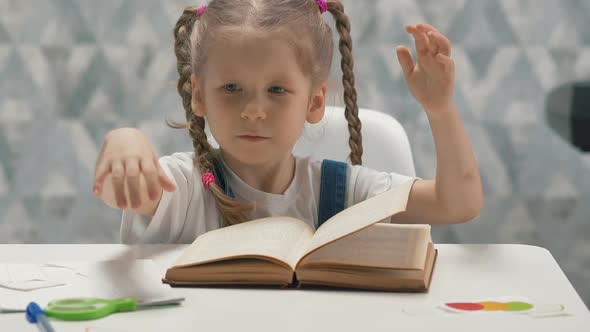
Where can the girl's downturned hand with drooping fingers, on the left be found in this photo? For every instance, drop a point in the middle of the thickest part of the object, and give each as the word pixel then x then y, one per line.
pixel 130 161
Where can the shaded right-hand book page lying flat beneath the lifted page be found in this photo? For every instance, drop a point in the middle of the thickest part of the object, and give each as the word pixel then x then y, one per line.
pixel 393 246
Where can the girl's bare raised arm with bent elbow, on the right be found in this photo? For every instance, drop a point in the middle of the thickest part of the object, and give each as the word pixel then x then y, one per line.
pixel 455 194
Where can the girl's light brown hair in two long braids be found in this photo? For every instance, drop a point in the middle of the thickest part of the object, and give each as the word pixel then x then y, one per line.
pixel 303 26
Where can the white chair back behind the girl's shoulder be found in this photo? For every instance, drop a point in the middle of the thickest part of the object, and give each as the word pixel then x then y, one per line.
pixel 385 143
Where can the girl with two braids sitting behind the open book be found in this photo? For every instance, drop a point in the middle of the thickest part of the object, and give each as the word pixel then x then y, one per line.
pixel 257 71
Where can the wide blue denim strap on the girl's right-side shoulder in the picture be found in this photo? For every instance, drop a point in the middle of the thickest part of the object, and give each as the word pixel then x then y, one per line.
pixel 332 189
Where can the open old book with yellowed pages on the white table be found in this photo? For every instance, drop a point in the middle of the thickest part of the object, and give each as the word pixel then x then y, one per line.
pixel 351 249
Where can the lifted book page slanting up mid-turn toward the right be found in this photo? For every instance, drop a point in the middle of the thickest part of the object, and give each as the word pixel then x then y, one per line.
pixel 362 215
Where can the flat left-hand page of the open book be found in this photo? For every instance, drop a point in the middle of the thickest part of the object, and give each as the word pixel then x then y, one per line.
pixel 274 237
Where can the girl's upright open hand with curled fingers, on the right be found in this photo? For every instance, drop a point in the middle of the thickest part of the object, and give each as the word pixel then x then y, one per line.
pixel 431 78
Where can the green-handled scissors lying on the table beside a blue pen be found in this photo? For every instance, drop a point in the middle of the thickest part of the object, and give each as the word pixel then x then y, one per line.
pixel 88 308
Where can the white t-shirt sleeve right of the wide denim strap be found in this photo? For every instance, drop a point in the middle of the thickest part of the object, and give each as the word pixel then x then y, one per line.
pixel 364 183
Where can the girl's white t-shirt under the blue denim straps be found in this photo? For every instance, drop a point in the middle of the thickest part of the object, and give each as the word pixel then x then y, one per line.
pixel 190 211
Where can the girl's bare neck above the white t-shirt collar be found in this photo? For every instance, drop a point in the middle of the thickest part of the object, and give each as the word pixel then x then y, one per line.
pixel 270 177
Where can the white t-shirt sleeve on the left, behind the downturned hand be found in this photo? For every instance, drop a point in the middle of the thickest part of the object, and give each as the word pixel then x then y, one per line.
pixel 167 224
